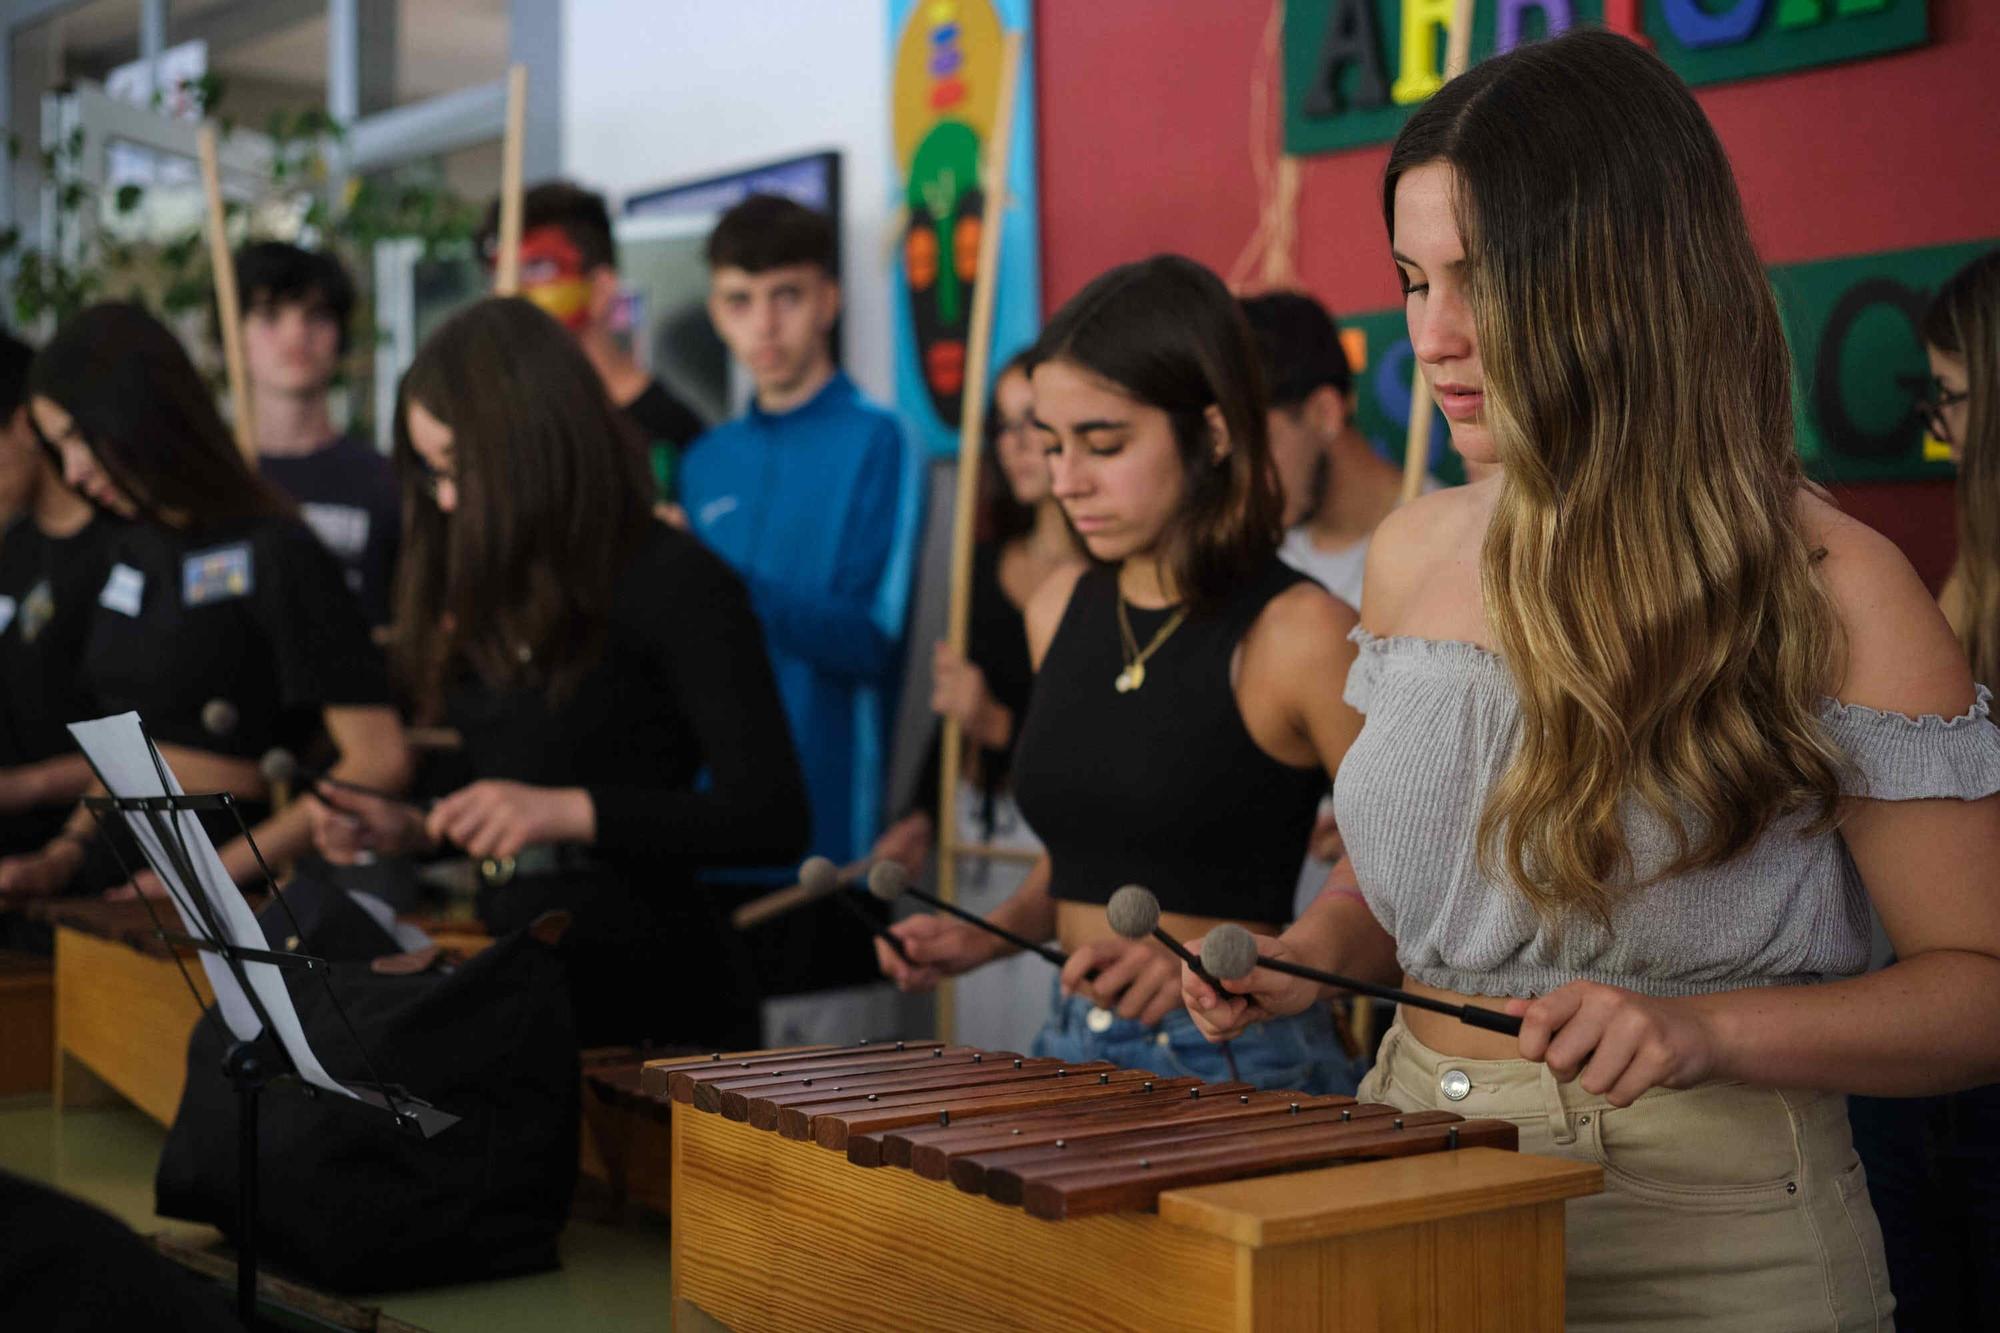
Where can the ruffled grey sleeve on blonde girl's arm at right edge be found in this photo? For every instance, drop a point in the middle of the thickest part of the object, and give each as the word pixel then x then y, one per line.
pixel 1909 760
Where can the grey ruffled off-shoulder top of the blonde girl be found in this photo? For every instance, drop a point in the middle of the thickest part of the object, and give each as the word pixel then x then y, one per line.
pixel 1441 722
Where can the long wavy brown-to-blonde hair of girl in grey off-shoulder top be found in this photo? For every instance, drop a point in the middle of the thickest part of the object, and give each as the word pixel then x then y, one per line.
pixel 1647 571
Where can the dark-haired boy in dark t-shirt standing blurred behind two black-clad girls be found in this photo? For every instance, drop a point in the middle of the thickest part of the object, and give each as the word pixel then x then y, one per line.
pixel 299 311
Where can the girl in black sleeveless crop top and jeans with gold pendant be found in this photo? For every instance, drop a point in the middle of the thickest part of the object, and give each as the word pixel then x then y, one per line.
pixel 1187 708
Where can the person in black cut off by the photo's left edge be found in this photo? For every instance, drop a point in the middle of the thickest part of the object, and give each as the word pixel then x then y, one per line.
pixel 51 571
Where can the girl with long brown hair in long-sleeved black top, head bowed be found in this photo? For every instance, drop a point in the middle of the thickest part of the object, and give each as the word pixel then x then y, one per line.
pixel 597 663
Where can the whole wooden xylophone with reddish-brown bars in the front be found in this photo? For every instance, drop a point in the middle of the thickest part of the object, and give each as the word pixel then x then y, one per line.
pixel 923 1186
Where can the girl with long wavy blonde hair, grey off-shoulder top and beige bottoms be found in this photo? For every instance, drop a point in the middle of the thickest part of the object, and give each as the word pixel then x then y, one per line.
pixel 1649 726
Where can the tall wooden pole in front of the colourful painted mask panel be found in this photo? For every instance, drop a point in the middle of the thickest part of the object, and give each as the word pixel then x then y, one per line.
pixel 971 437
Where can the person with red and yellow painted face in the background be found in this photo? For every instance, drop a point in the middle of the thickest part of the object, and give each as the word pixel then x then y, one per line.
pixel 569 265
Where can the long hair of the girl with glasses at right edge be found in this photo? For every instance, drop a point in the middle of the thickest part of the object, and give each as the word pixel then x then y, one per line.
pixel 1965 321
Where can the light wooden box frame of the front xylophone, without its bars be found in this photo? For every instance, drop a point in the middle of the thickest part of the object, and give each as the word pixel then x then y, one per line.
pixel 777 1234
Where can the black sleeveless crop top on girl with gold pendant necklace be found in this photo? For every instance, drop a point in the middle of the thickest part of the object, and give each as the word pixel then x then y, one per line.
pixel 1165 786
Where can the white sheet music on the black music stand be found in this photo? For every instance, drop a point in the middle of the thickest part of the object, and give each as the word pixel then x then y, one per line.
pixel 125 760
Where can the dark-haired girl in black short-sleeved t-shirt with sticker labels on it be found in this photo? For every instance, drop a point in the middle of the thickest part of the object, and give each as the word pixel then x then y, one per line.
pixel 221 619
